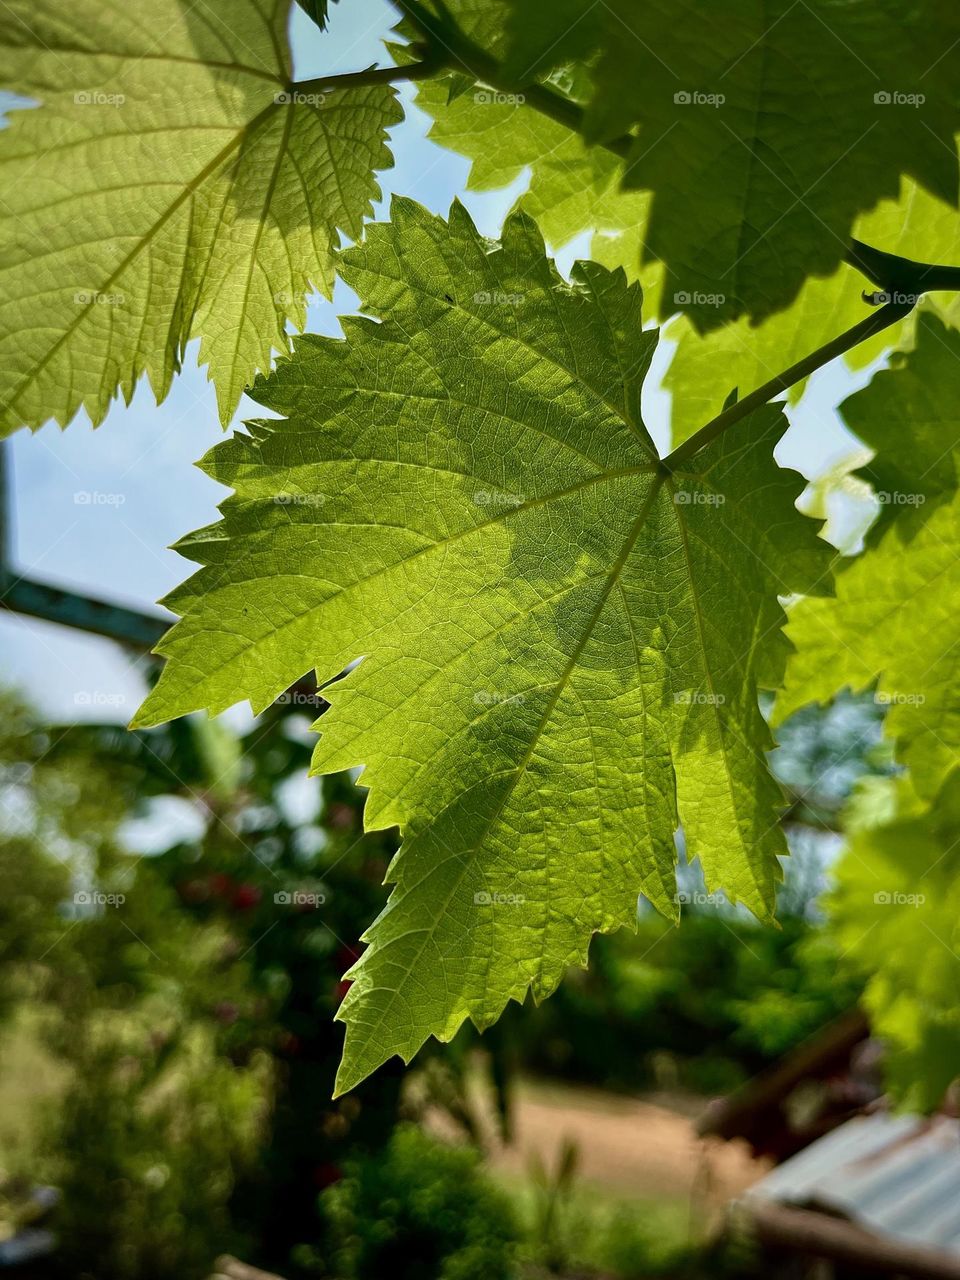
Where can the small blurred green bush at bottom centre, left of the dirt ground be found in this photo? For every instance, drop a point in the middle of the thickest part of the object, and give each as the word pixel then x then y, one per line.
pixel 420 1212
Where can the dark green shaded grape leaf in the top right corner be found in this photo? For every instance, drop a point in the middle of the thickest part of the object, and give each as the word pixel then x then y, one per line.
pixel 764 131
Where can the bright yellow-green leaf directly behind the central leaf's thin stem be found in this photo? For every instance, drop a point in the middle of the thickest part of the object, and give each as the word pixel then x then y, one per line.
pixel 708 367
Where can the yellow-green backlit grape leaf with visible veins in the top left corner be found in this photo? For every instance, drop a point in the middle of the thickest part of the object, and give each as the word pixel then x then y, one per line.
pixel 167 188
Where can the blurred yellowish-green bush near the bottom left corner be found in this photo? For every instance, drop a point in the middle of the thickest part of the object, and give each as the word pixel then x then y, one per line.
pixel 152 1151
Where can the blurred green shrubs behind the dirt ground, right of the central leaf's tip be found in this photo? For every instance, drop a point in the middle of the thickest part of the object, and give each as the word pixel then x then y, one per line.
pixel 701 1008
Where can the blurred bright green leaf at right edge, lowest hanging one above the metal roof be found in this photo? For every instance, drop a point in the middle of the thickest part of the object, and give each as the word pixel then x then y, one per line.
pixel 895 909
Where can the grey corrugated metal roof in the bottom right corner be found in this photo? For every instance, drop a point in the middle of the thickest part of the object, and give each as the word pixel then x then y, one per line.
pixel 897 1176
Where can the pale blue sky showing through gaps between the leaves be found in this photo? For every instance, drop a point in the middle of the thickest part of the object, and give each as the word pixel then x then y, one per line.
pixel 98 510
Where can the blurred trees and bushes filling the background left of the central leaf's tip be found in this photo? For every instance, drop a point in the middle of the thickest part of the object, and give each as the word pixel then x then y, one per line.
pixel 190 994
